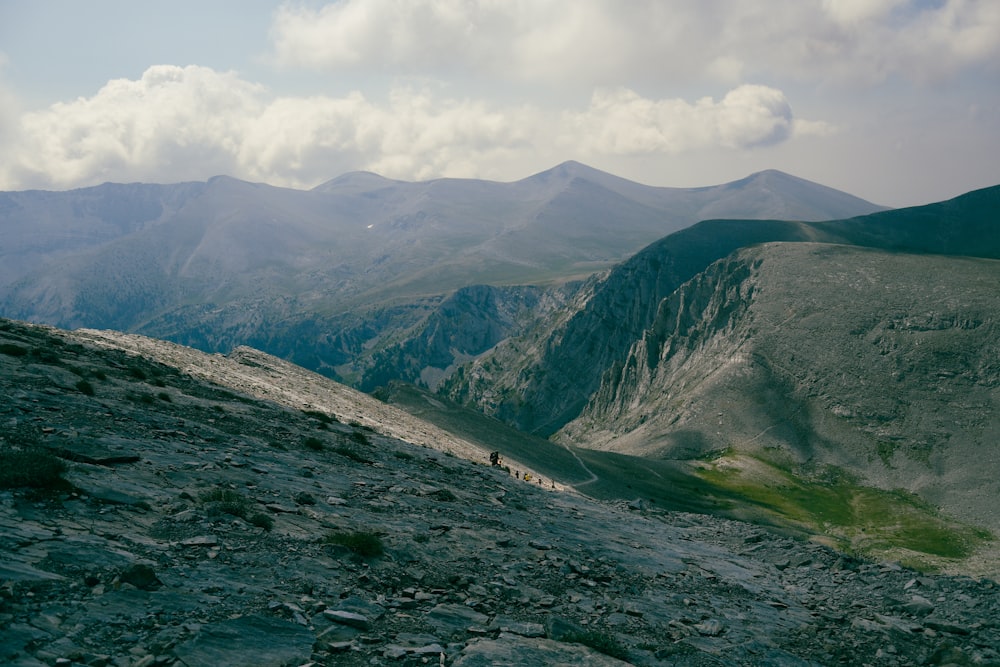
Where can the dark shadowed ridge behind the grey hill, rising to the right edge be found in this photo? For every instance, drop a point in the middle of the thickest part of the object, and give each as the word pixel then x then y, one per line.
pixel 541 383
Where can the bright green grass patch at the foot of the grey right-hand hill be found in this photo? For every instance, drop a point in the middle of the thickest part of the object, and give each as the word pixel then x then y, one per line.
pixel 865 521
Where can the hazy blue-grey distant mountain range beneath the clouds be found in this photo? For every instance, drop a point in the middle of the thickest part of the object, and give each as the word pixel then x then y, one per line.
pixel 332 276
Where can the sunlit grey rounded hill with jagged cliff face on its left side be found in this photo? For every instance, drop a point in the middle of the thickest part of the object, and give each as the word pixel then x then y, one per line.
pixel 883 364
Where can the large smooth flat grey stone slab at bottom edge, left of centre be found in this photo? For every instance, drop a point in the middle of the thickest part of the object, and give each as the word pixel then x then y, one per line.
pixel 248 640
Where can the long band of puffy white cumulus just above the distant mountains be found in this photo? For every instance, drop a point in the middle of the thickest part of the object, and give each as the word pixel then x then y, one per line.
pixel 187 123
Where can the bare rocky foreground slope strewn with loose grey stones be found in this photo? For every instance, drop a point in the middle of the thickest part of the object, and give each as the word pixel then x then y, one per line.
pixel 203 526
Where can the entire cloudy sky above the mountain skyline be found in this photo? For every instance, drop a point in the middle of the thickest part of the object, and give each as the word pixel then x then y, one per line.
pixel 895 101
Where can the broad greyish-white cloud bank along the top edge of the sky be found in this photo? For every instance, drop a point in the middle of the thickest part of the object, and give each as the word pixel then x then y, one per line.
pixel 603 42
